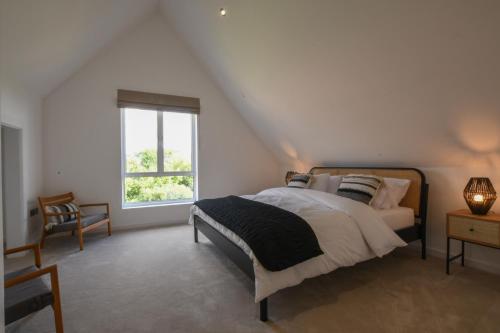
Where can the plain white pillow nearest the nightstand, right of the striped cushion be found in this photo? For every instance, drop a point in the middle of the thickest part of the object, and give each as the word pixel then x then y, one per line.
pixel 391 193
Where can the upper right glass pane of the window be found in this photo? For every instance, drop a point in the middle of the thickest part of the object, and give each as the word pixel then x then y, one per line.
pixel 177 141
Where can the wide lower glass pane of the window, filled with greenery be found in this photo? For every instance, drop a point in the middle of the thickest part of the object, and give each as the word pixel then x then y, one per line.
pixel 151 189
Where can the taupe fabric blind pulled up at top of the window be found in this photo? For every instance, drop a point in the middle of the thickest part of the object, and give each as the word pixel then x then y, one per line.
pixel 161 102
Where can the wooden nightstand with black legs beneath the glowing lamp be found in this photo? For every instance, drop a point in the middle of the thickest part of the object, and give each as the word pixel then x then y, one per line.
pixel 476 229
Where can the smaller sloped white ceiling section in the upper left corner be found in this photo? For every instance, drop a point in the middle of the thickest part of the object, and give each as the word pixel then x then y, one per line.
pixel 44 42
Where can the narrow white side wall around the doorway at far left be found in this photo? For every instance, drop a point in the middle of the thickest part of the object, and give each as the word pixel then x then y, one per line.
pixel 22 110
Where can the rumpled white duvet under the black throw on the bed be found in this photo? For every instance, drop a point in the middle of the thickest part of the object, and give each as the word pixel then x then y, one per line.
pixel 348 232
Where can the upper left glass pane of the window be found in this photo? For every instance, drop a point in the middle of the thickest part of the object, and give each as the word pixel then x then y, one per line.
pixel 141 140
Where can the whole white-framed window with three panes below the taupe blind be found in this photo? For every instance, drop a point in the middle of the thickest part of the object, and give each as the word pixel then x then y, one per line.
pixel 158 157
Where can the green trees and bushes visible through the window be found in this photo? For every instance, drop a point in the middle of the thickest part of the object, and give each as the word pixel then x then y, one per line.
pixel 147 189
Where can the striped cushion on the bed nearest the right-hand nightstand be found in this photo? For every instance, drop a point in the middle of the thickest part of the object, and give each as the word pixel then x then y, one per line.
pixel 359 187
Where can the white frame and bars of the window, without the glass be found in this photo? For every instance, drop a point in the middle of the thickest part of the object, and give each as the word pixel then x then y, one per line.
pixel 160 161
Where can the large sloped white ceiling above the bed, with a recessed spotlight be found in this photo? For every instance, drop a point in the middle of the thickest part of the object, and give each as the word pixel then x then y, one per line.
pixel 388 82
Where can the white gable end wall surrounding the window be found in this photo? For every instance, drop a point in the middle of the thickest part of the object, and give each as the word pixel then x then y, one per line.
pixel 82 126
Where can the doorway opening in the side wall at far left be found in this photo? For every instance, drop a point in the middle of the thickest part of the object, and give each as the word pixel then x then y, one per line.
pixel 12 195
